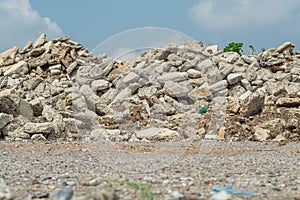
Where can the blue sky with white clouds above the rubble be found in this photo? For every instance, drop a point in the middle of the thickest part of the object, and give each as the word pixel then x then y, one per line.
pixel 261 23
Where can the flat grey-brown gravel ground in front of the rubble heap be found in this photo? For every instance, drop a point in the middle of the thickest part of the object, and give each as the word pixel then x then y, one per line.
pixel 35 170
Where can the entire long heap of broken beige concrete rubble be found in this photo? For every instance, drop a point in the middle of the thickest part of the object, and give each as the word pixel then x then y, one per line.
pixel 57 89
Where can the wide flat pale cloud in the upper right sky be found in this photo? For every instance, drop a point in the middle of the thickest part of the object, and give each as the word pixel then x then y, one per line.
pixel 220 15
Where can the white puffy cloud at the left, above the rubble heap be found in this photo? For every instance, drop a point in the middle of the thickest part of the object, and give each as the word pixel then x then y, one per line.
pixel 20 23
